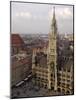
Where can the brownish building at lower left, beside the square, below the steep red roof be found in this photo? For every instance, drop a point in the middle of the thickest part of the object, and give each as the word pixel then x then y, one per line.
pixel 20 69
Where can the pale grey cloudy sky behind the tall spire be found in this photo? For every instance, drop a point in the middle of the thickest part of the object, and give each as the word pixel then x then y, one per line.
pixel 36 18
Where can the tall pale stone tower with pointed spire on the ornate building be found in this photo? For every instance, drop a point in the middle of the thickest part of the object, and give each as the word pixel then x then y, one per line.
pixel 52 55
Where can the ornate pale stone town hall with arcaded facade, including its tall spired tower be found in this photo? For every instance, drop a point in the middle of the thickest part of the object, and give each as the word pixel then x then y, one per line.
pixel 53 70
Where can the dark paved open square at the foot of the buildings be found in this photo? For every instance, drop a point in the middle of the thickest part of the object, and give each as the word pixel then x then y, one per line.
pixel 27 89
